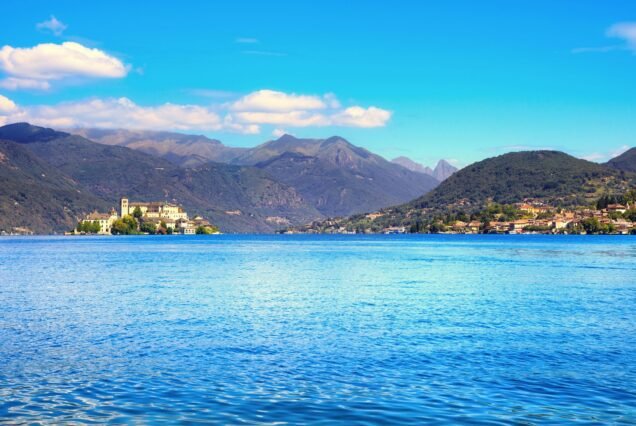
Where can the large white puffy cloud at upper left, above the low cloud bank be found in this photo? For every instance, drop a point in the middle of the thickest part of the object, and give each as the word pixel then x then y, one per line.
pixel 46 62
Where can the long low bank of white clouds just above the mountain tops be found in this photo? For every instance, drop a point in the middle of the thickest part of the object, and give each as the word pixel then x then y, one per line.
pixel 244 115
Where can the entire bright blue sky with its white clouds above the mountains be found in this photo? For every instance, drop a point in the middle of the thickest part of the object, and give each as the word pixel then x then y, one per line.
pixel 460 80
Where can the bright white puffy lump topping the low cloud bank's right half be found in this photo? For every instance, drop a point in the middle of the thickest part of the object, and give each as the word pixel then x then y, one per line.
pixel 270 100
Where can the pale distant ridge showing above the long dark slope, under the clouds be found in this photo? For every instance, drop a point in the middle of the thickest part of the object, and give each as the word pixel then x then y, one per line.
pixel 181 149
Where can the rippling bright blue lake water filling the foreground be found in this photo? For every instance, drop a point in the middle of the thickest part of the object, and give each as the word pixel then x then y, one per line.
pixel 318 329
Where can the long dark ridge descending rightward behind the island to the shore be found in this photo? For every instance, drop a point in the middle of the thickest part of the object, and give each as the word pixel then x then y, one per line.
pixel 236 198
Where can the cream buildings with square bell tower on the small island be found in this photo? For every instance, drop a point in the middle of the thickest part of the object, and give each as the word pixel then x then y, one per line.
pixel 156 214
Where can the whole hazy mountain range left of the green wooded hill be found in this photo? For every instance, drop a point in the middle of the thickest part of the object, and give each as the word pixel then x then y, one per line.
pixel 280 183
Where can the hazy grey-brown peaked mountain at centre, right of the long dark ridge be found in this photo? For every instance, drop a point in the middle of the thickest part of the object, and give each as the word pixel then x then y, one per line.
pixel 336 177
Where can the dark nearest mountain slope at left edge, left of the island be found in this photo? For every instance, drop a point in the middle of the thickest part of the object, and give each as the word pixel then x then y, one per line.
pixel 36 196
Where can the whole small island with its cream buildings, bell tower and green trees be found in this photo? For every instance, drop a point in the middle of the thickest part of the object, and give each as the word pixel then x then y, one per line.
pixel 157 217
